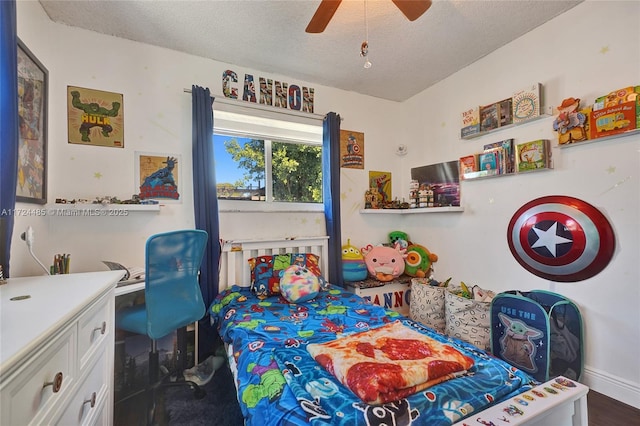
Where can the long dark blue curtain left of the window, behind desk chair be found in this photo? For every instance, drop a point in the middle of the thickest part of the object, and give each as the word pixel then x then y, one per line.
pixel 205 203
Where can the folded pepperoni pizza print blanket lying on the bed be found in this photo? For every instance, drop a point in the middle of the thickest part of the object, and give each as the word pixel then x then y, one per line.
pixel 389 363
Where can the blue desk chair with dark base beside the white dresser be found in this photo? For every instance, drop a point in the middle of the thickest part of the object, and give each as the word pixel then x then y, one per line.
pixel 173 300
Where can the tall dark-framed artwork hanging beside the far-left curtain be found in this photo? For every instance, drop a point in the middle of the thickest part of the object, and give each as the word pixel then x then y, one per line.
pixel 33 85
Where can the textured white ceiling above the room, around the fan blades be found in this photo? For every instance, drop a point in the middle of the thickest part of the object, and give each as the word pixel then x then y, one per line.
pixel 269 36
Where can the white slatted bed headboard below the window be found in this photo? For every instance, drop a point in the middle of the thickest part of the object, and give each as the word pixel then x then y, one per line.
pixel 234 262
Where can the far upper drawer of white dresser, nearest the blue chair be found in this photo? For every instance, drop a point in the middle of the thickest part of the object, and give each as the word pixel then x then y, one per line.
pixel 93 327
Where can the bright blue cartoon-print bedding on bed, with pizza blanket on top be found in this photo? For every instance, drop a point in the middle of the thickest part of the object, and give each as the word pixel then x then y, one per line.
pixel 281 383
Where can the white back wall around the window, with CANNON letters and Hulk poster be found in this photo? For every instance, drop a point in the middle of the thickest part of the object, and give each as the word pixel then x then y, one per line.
pixel 157 116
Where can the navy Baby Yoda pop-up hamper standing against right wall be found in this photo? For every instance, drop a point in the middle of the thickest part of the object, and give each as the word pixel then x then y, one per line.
pixel 539 332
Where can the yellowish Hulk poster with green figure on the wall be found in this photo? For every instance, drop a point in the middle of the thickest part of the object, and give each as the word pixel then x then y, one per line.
pixel 95 117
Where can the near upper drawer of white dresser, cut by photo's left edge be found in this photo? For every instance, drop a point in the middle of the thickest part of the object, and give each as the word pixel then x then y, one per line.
pixel 31 392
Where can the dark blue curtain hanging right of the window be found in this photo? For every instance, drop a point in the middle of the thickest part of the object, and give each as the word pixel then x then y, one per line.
pixel 331 194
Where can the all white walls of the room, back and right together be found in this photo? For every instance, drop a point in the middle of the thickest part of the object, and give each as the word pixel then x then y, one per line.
pixel 567 55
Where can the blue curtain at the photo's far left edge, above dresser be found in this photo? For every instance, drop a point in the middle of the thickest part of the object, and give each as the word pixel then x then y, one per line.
pixel 8 127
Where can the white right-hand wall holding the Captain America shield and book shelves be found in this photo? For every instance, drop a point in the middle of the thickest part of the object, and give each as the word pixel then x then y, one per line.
pixel 571 57
